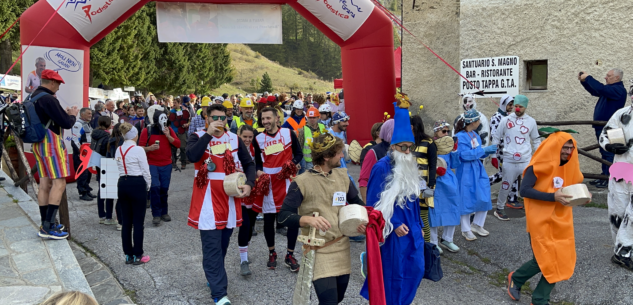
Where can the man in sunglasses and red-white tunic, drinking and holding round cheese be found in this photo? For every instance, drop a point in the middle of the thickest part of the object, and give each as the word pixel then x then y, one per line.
pixel 212 211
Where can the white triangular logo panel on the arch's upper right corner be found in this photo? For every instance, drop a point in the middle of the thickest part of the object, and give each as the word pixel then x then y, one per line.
pixel 343 17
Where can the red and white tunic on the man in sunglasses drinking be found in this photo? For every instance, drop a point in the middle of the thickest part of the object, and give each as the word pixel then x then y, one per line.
pixel 211 208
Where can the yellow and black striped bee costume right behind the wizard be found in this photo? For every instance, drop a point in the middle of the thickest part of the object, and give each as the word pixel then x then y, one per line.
pixel 426 155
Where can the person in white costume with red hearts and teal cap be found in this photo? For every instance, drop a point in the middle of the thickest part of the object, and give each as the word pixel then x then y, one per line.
pixel 517 130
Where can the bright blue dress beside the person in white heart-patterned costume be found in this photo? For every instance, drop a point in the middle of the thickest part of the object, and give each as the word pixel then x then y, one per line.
pixel 474 185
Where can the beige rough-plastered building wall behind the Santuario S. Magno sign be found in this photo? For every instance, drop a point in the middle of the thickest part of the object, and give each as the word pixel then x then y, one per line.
pixel 573 36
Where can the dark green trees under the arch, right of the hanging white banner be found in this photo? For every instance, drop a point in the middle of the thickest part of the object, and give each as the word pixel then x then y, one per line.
pixel 304 47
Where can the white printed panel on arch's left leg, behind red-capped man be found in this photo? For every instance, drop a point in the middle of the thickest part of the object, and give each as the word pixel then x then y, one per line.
pixel 68 63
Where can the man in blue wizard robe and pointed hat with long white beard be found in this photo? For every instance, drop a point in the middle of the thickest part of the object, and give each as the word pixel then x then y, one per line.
pixel 393 188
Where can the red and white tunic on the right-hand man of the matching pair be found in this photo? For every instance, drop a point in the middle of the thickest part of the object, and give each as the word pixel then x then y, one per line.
pixel 272 164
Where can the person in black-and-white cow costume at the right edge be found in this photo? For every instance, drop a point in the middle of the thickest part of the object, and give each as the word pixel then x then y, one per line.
pixel 620 190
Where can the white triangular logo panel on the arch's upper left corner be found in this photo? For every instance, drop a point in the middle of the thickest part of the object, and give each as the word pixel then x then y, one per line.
pixel 90 17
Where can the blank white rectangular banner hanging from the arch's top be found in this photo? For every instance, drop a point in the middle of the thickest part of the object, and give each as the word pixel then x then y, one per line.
pixel 219 23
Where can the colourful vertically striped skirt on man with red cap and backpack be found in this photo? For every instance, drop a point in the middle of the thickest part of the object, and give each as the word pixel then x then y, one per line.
pixel 51 157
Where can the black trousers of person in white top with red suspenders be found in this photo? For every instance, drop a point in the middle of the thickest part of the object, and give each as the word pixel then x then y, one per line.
pixel 132 205
